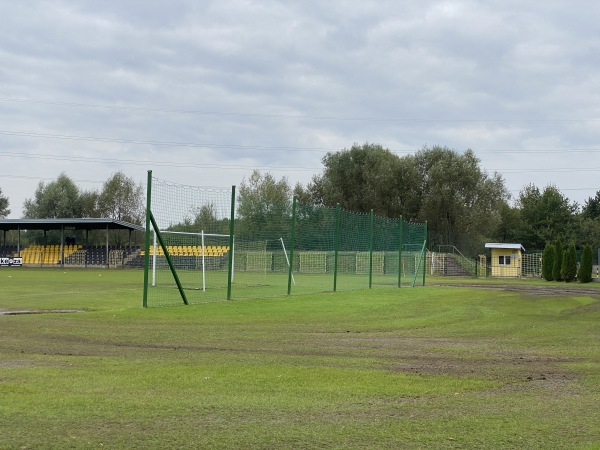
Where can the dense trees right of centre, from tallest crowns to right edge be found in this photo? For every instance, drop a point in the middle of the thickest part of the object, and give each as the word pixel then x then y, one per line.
pixel 463 205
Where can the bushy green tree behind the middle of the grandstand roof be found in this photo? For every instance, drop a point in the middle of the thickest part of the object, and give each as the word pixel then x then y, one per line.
pixel 57 199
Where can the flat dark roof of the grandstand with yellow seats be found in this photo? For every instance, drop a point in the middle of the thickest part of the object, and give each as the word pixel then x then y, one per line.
pixel 57 224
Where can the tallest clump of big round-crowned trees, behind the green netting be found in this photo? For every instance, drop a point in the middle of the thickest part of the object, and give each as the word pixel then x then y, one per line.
pixel 459 201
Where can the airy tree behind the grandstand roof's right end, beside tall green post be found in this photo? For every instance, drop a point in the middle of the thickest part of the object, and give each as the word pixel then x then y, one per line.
pixel 122 199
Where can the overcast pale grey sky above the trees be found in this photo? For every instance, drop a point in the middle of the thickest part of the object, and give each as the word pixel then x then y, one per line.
pixel 204 92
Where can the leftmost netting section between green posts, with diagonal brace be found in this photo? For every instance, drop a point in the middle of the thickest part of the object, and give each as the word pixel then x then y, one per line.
pixel 189 244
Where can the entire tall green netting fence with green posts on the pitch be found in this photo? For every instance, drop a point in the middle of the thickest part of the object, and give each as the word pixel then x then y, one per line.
pixel 205 245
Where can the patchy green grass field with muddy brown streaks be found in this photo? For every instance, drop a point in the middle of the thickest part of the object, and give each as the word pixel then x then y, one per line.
pixel 425 367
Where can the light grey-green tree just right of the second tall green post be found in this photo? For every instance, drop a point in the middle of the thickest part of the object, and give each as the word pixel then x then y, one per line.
pixel 263 207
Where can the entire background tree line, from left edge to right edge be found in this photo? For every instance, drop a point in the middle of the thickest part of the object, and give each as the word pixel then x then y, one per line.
pixel 464 206
